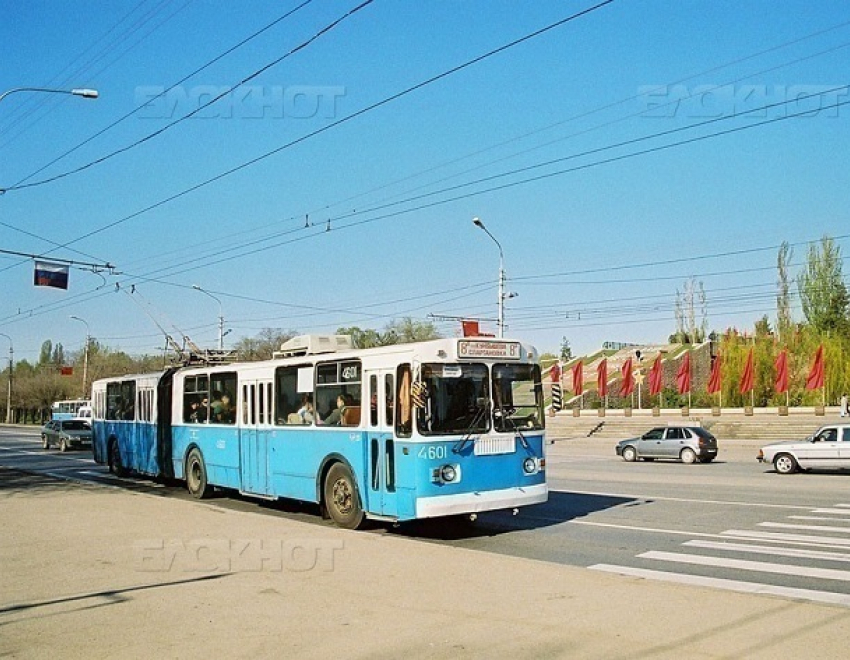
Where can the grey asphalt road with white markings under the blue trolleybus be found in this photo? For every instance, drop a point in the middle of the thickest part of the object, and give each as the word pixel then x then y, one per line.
pixel 732 524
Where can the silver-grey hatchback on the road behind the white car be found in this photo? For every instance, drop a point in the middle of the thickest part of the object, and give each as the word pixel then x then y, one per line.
pixel 686 443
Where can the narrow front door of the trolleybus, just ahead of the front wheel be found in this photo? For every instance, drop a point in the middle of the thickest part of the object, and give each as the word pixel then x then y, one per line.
pixel 382 467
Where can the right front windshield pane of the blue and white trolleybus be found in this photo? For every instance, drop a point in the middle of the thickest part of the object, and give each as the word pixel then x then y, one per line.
pixel 517 397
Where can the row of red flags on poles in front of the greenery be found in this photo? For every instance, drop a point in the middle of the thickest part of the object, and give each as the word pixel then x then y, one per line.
pixel 814 380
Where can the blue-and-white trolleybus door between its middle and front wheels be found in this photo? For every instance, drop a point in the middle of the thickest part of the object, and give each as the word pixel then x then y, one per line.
pixel 255 436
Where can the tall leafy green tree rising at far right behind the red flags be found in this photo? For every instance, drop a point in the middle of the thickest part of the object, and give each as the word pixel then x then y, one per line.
pixel 823 293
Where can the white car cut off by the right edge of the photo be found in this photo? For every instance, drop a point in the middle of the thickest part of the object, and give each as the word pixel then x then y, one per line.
pixel 827 448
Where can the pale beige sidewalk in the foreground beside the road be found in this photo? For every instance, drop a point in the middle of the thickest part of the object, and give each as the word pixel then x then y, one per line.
pixel 90 571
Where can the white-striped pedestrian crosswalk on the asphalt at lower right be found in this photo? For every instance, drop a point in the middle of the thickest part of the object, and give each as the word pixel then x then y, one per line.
pixel 805 557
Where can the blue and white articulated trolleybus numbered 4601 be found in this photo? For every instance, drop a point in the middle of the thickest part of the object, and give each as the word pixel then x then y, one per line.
pixel 421 430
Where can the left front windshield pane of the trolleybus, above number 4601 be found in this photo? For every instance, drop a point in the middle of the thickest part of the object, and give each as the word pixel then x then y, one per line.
pixel 456 399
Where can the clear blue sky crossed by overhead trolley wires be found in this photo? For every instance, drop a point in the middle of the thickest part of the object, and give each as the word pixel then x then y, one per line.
pixel 572 90
